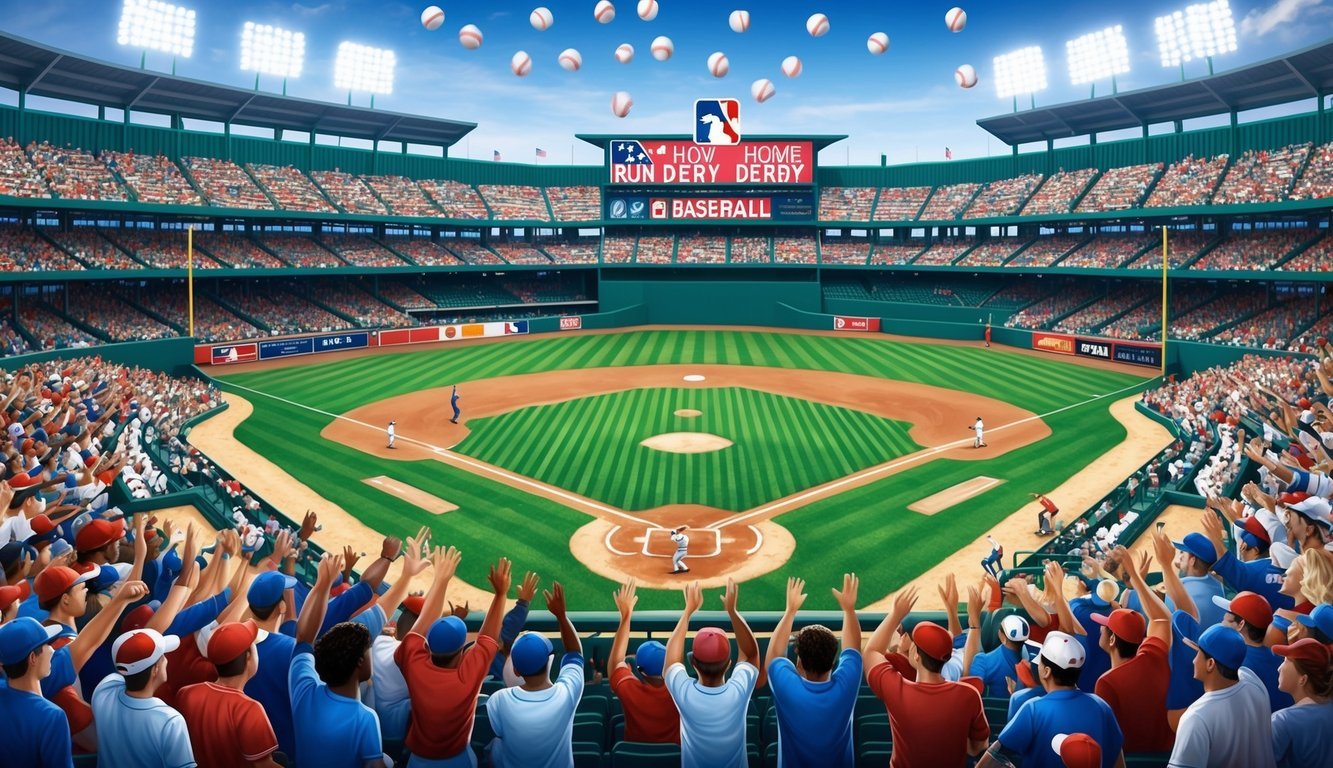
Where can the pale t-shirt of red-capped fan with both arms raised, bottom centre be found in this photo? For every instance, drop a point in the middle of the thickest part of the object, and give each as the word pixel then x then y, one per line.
pixel 712 721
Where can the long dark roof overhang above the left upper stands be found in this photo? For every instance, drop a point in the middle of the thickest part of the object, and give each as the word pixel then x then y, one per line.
pixel 42 71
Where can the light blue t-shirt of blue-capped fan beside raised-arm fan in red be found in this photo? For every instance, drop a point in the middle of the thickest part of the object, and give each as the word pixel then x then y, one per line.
pixel 537 729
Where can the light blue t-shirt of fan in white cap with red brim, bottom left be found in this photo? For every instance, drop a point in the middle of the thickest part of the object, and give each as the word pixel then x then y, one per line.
pixel 138 733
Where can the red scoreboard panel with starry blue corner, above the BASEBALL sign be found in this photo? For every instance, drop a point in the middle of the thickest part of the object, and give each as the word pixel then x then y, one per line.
pixel 658 162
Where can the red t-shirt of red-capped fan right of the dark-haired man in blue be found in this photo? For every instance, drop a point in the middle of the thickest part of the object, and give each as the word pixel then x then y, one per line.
pixel 932 723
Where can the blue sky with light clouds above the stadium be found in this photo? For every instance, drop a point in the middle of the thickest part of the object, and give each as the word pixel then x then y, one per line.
pixel 904 103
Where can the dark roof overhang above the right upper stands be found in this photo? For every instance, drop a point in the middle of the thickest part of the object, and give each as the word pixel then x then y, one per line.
pixel 1292 78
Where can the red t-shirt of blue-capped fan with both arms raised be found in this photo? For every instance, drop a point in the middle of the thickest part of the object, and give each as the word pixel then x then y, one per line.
pixel 445 701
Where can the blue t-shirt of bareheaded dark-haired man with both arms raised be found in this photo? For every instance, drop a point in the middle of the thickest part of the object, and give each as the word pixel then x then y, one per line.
pixel 815 719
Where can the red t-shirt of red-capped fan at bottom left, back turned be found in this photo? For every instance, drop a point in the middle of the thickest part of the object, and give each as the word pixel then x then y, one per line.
pixel 227 729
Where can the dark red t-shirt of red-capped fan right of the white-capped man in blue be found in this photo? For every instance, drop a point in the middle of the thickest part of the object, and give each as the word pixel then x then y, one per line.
pixel 1138 695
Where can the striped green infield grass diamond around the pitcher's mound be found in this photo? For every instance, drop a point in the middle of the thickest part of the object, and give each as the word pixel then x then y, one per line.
pixel 591 446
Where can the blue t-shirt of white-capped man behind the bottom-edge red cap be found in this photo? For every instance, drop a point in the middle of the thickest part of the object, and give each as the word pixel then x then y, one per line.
pixel 1063 711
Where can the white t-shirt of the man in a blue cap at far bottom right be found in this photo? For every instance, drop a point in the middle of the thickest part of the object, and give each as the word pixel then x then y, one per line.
pixel 1231 727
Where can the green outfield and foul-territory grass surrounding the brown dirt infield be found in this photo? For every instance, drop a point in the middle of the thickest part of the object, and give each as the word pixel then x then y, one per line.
pixel 867 530
